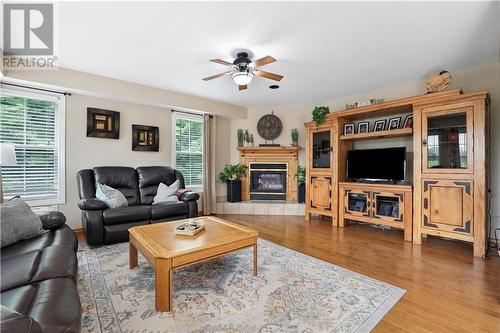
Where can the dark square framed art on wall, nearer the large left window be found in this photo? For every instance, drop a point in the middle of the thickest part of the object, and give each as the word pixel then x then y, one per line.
pixel 103 123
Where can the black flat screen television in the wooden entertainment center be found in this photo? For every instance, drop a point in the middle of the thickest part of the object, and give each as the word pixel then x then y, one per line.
pixel 386 164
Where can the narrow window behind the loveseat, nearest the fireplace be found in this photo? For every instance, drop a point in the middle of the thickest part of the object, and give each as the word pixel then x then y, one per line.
pixel 188 147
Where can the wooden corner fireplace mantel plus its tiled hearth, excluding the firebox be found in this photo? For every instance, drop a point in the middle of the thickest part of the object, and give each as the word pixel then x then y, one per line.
pixel 248 155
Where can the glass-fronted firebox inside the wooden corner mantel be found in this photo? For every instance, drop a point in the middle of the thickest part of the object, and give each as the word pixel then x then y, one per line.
pixel 268 181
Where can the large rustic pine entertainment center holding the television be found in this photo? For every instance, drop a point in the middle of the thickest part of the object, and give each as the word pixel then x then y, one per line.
pixel 446 195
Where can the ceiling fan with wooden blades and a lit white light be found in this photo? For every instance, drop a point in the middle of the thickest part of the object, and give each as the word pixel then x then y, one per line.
pixel 244 69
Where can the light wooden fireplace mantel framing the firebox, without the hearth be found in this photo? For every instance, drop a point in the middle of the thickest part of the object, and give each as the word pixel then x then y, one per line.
pixel 288 155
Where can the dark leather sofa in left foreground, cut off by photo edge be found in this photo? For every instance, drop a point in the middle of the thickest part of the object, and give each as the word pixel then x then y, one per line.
pixel 38 281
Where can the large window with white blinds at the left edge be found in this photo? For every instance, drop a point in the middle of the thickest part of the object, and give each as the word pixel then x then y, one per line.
pixel 34 124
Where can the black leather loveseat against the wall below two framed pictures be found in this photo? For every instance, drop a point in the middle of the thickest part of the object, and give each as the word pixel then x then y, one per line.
pixel 103 225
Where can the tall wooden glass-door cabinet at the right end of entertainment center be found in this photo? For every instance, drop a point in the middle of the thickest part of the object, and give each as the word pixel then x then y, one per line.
pixel 450 170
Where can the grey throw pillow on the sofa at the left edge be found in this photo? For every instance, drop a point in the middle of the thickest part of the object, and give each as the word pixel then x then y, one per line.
pixel 18 222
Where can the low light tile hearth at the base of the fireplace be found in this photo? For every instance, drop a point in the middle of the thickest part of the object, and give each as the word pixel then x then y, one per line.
pixel 260 208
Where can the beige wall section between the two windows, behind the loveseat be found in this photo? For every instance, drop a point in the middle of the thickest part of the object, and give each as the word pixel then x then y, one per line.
pixel 84 152
